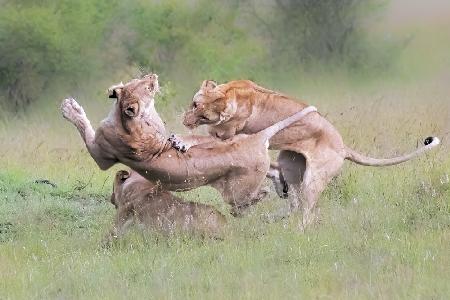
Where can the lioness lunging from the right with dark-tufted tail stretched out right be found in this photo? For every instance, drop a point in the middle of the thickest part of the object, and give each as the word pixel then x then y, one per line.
pixel 312 150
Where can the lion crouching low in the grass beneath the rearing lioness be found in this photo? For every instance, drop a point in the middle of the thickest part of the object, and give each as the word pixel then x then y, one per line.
pixel 139 201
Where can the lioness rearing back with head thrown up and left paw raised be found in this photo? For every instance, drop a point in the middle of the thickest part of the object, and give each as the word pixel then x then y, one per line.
pixel 134 135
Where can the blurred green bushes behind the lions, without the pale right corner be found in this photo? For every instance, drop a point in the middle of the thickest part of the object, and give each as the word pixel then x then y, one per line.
pixel 48 45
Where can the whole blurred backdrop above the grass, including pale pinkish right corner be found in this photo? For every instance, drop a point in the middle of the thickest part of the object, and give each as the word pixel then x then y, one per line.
pixel 51 49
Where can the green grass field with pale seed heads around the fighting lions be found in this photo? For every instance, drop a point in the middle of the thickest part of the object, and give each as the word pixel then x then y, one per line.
pixel 383 233
